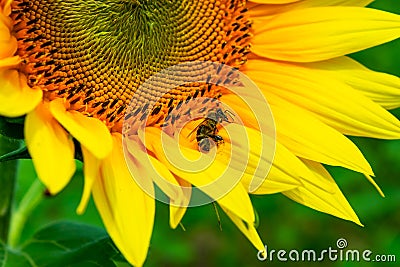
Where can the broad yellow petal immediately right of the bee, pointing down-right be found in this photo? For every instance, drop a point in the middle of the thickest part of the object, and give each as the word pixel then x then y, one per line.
pixel 285 169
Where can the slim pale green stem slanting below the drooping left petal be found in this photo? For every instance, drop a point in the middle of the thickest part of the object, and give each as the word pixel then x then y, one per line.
pixel 31 199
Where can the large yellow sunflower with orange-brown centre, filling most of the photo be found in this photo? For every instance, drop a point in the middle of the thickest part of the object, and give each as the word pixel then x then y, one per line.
pixel 79 72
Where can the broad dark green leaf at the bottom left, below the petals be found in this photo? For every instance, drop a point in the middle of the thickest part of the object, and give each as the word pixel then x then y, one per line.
pixel 71 244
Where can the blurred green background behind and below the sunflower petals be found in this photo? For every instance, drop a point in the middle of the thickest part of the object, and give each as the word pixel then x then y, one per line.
pixel 284 224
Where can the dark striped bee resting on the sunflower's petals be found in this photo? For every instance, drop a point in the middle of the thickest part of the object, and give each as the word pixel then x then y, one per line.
pixel 208 129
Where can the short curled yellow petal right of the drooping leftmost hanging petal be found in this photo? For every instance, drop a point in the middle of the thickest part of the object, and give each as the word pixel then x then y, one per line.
pixel 90 132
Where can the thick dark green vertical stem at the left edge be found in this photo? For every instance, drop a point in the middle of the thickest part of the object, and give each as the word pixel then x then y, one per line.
pixel 8 176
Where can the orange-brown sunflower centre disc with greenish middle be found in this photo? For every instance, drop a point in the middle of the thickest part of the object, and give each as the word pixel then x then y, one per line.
pixel 95 54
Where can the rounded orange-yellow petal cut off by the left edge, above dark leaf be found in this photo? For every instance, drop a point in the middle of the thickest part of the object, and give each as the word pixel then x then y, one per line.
pixel 16 97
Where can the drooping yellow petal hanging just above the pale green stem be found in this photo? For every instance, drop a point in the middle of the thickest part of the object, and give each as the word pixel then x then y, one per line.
pixel 51 148
